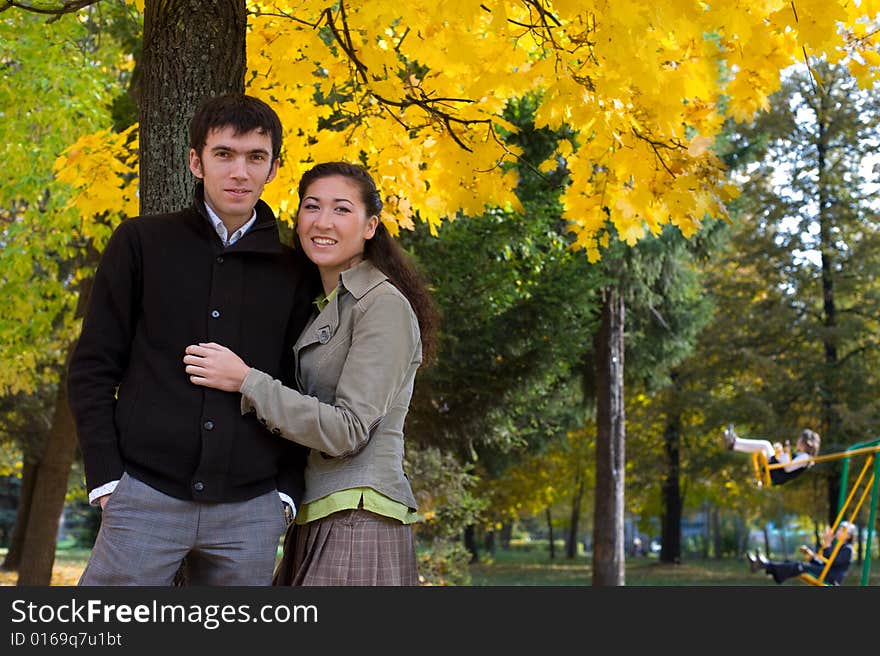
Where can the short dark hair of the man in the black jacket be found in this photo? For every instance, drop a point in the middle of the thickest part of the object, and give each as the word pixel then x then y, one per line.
pixel 244 113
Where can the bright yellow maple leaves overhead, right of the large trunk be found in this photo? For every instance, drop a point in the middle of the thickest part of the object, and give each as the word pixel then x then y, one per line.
pixel 417 89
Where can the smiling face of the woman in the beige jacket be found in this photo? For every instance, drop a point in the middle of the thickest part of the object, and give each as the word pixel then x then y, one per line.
pixel 332 225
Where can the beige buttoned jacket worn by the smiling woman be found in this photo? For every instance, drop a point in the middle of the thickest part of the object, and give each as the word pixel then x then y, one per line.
pixel 356 363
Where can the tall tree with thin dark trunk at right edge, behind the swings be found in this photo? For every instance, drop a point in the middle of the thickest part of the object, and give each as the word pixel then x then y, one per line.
pixel 812 192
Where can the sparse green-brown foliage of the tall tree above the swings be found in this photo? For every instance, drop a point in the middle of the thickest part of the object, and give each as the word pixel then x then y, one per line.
pixel 806 235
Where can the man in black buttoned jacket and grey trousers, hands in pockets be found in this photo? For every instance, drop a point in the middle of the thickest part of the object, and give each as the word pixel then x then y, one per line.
pixel 178 471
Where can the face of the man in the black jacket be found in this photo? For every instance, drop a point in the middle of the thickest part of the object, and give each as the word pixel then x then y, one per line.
pixel 234 168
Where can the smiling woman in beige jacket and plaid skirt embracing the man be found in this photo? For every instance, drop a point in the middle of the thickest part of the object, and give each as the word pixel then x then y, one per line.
pixel 356 363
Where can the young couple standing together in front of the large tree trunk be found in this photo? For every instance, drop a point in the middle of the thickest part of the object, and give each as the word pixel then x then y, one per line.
pixel 224 383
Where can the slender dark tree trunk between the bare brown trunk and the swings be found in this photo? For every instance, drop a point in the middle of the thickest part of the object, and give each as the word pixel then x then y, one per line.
pixel 670 525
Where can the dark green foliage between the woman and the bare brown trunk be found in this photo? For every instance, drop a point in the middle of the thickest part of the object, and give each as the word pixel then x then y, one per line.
pixel 516 313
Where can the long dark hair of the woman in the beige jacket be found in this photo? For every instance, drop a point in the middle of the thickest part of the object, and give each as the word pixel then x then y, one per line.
pixel 384 252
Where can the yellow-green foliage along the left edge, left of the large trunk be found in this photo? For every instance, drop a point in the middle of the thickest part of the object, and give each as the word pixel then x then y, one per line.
pixel 46 107
